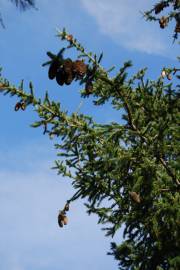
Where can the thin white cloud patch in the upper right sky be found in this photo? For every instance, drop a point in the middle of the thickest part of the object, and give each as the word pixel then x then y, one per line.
pixel 122 21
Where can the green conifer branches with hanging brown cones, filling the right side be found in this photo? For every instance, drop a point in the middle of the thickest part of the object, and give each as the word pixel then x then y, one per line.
pixel 128 171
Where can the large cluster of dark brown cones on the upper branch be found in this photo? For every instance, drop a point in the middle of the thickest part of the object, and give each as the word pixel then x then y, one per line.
pixel 66 71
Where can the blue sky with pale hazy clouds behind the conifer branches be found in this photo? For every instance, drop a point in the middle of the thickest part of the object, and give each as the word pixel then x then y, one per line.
pixel 30 192
